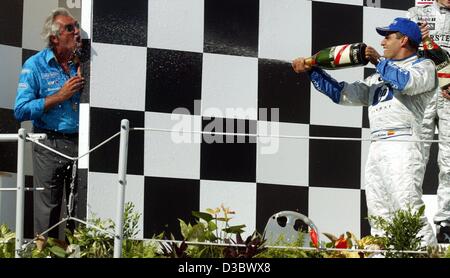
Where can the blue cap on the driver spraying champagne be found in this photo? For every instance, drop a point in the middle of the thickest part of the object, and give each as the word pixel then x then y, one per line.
pixel 405 26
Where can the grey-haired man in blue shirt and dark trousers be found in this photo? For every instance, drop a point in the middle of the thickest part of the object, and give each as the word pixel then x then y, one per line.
pixel 48 94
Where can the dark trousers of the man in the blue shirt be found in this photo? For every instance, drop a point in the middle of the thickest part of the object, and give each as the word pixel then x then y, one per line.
pixel 54 173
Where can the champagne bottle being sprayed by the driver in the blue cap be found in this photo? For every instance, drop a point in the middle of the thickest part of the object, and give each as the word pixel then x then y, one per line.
pixel 341 56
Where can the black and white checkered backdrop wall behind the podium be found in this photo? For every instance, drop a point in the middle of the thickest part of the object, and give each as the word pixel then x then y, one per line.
pixel 206 56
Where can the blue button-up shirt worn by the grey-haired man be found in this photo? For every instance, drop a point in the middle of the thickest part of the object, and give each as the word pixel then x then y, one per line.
pixel 42 76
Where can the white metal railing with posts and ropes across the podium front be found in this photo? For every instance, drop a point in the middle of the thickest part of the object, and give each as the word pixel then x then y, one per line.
pixel 22 136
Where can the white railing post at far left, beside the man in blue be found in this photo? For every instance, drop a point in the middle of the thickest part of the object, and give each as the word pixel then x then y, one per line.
pixel 20 195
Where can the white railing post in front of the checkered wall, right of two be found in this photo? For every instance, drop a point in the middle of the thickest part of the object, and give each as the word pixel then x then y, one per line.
pixel 122 172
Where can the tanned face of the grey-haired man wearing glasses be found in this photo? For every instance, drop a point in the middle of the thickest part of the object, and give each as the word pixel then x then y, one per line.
pixel 69 33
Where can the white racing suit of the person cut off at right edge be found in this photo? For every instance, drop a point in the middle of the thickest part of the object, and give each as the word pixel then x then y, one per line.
pixel 438 112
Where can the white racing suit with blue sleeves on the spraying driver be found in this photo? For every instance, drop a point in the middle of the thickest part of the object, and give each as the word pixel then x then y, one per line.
pixel 397 96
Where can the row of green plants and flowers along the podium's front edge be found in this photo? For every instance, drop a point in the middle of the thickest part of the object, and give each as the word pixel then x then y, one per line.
pixel 213 226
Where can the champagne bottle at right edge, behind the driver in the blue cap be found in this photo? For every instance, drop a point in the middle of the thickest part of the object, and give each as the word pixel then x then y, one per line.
pixel 440 58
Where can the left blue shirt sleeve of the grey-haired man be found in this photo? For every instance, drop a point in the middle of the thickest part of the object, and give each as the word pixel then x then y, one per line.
pixel 29 105
